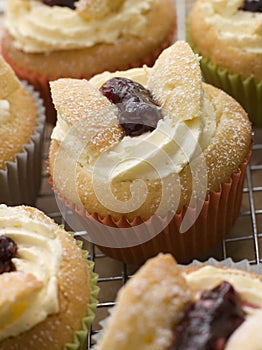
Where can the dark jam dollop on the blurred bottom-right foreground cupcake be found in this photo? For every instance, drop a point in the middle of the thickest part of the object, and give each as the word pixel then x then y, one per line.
pixel 208 323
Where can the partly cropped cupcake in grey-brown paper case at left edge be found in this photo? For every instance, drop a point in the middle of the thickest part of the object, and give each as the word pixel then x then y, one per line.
pixel 21 133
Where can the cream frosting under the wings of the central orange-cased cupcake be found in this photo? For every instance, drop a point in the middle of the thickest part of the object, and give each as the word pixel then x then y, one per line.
pixel 152 155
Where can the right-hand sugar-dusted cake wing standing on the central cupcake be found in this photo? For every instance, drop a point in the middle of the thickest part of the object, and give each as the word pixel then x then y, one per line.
pixel 176 82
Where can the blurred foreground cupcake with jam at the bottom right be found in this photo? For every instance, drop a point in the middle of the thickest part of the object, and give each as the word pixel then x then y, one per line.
pixel 163 307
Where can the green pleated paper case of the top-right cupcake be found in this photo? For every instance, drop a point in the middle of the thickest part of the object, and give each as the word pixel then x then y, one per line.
pixel 246 91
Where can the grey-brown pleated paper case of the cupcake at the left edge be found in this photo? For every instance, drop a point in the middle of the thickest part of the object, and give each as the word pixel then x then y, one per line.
pixel 20 180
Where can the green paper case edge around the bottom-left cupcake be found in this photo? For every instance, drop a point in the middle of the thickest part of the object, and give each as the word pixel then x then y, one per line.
pixel 79 341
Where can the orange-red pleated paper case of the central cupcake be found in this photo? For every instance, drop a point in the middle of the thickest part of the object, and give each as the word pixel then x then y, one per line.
pixel 219 213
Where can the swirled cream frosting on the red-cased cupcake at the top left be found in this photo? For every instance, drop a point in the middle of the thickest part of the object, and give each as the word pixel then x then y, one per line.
pixel 38 28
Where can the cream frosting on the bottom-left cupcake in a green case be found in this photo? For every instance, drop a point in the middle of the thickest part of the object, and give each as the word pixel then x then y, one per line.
pixel 39 254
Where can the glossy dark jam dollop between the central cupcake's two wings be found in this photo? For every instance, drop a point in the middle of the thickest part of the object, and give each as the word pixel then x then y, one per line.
pixel 138 112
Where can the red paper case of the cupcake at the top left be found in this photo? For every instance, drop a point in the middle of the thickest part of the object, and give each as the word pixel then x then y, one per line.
pixel 41 81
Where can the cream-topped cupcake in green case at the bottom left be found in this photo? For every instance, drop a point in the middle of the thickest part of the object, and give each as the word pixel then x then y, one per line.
pixel 48 289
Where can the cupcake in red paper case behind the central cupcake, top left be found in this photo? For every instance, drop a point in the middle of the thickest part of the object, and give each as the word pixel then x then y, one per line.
pixel 47 39
